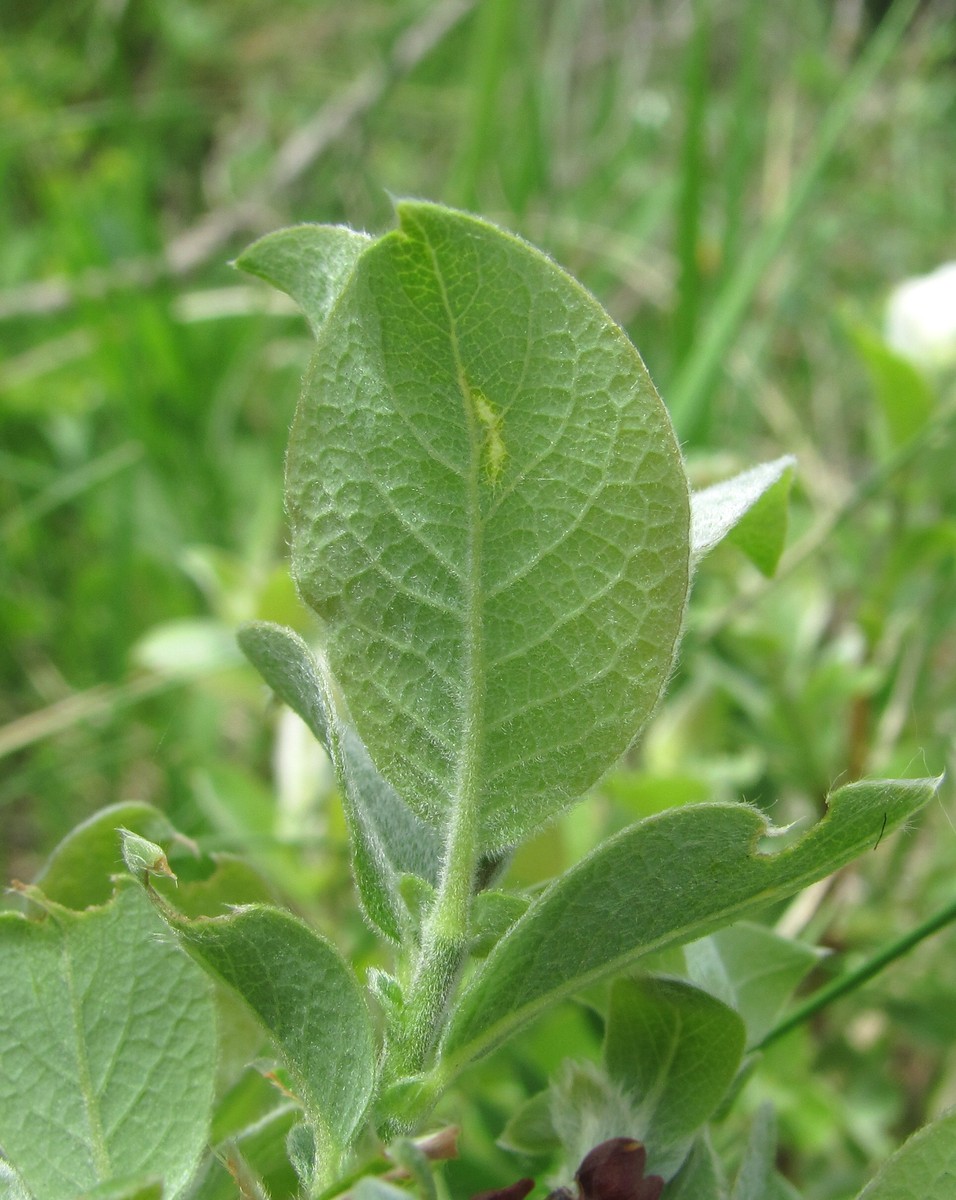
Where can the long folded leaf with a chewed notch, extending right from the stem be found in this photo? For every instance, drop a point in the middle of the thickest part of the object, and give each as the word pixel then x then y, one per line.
pixel 665 881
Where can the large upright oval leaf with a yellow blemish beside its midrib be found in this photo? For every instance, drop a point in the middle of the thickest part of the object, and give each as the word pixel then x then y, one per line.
pixel 491 517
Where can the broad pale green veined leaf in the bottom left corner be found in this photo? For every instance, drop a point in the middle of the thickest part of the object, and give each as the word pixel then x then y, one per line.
pixel 109 1051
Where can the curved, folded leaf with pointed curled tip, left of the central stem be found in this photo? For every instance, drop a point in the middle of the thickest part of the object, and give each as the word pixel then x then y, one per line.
pixel 308 1000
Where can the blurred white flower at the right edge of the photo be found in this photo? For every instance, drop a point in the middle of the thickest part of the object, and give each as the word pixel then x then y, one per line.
pixel 922 319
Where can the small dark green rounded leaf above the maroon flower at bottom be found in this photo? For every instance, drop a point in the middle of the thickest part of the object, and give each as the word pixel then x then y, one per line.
pixel 676 1049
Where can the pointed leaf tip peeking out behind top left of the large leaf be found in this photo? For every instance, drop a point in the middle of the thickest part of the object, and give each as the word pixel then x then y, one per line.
pixel 311 263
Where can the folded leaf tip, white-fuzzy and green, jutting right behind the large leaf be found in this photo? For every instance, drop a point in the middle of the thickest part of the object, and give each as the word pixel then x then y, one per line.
pixel 751 509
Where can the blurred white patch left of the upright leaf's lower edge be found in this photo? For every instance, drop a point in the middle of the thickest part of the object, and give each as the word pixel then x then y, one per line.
pixel 304 779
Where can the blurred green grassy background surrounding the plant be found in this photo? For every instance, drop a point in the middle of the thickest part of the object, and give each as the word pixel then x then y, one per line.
pixel 739 183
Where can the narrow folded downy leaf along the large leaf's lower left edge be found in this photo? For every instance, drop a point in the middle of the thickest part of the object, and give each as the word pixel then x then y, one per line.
pixel 388 839
